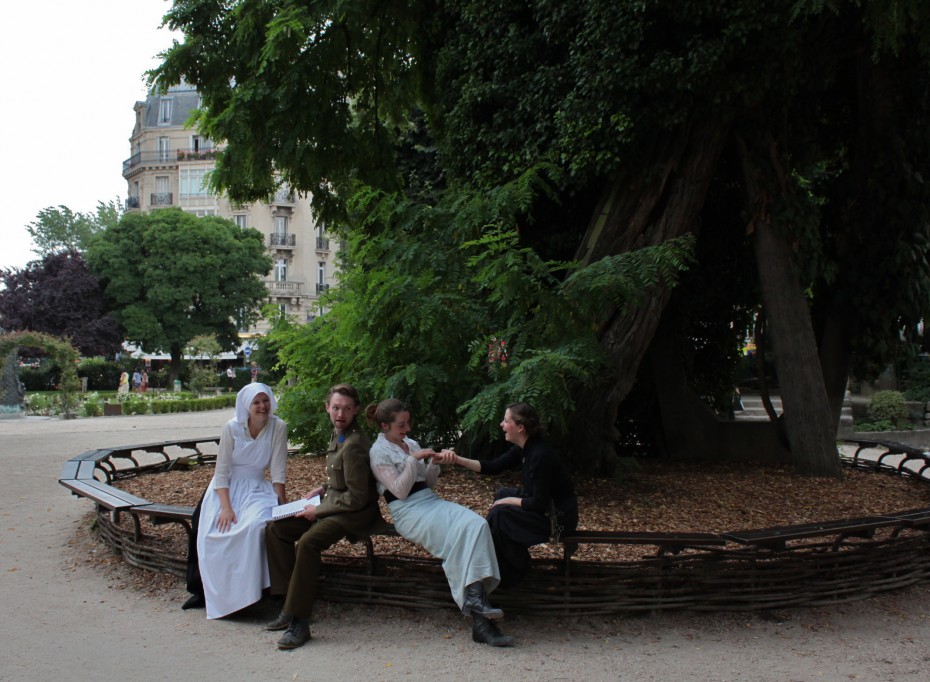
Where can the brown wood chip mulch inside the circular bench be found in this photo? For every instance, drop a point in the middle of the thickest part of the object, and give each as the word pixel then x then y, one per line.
pixel 658 496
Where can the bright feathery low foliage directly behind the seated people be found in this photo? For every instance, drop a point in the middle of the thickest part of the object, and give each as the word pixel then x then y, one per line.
pixel 428 292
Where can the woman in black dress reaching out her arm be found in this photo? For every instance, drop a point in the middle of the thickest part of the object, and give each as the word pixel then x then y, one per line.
pixel 544 506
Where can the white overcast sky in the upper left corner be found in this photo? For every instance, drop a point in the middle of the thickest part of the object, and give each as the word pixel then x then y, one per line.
pixel 70 73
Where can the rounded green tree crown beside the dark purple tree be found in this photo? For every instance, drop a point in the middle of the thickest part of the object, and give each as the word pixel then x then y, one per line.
pixel 172 276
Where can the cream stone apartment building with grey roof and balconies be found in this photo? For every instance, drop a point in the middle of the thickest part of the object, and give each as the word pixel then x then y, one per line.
pixel 168 167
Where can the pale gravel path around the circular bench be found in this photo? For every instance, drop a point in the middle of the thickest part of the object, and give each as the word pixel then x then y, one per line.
pixel 59 617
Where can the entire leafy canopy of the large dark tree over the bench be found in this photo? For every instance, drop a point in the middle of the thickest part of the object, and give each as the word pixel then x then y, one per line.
pixel 830 96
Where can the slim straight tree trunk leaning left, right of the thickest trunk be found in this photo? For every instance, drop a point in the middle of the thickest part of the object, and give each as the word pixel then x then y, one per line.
pixel 810 427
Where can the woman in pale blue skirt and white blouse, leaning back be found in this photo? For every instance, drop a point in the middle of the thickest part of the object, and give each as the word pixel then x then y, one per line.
pixel 448 531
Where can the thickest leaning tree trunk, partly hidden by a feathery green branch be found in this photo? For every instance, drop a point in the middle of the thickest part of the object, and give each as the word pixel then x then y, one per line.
pixel 636 212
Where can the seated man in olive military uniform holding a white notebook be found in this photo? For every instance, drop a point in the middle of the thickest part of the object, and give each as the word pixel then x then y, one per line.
pixel 349 505
